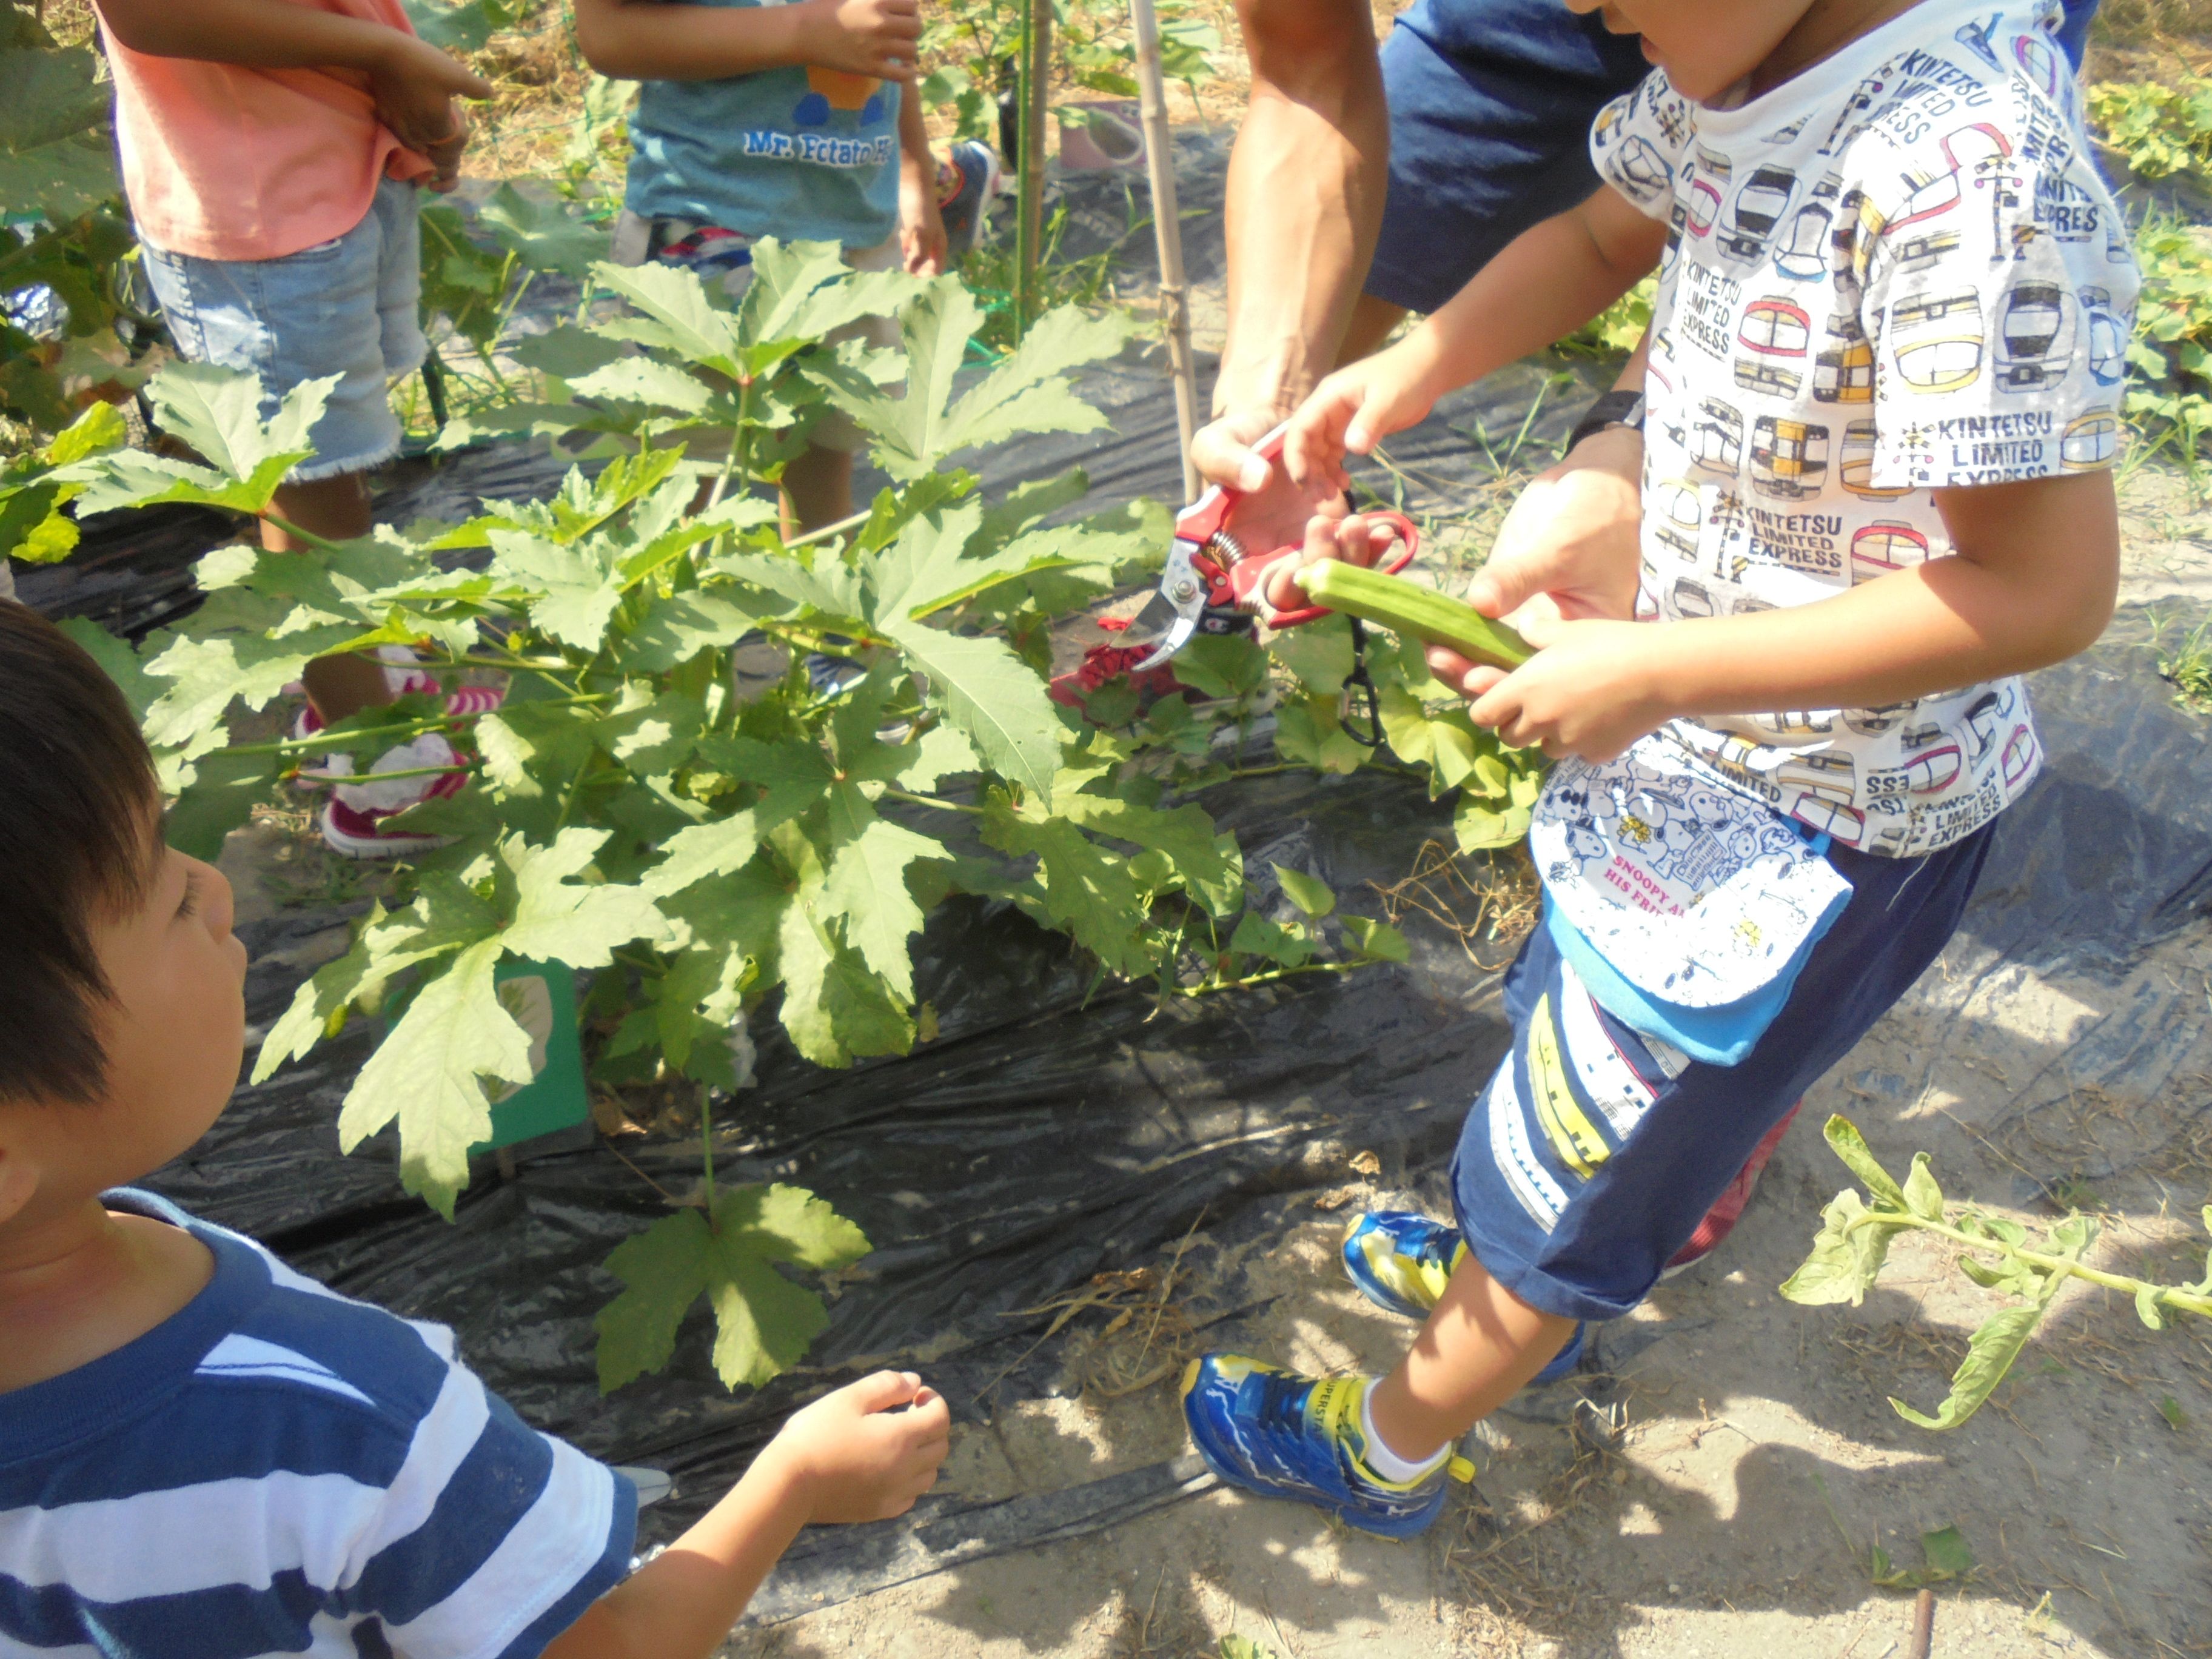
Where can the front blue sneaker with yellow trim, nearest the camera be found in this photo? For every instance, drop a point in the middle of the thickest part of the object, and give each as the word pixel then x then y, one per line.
pixel 1282 1434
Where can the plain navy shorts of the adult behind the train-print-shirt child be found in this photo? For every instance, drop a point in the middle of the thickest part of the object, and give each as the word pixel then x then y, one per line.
pixel 1490 132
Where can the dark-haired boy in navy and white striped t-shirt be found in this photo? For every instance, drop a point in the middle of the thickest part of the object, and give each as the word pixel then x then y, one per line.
pixel 205 1452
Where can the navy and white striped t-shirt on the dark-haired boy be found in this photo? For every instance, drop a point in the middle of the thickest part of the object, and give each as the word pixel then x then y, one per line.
pixel 280 1470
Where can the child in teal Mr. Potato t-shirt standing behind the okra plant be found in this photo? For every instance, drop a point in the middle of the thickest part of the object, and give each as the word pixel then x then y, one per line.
pixel 760 118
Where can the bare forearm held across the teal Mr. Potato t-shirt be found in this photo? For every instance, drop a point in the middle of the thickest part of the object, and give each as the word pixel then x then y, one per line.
pixel 656 41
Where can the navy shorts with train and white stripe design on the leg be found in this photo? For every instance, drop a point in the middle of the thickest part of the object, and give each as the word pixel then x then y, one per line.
pixel 1594 1154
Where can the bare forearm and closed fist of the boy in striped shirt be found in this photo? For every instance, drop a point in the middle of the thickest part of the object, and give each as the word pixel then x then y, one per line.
pixel 851 1457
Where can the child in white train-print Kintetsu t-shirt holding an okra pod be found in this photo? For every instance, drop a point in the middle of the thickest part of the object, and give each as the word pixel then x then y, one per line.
pixel 1884 399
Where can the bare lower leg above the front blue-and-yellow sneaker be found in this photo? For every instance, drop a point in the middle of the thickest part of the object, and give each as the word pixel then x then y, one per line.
pixel 1479 1350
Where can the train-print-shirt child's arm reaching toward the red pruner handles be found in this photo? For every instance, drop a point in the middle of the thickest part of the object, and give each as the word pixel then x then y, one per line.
pixel 1545 284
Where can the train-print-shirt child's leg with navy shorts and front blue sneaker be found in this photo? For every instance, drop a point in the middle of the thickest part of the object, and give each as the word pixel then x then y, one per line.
pixel 1585 1167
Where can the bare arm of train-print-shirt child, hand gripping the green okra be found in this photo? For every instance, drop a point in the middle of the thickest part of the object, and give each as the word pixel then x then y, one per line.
pixel 2032 583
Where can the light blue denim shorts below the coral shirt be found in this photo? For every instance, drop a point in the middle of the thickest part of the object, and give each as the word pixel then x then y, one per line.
pixel 346 306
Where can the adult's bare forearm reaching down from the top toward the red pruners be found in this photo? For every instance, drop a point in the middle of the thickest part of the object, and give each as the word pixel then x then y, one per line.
pixel 1304 202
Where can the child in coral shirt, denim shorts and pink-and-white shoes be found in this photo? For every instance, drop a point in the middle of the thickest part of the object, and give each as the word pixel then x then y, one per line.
pixel 273 152
